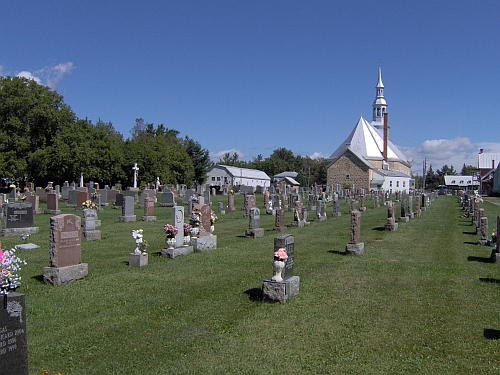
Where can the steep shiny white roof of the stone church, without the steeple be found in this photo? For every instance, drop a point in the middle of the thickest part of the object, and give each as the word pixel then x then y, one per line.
pixel 367 142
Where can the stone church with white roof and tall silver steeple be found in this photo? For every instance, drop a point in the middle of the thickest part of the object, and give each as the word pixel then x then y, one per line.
pixel 367 159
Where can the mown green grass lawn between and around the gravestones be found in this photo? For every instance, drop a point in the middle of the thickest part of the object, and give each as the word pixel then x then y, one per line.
pixel 421 300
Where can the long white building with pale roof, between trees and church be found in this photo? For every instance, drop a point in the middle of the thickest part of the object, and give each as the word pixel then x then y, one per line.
pixel 226 175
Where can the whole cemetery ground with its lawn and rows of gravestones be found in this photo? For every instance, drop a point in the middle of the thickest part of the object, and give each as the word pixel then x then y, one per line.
pixel 345 294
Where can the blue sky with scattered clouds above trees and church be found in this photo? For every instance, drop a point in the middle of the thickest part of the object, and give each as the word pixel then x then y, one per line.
pixel 252 76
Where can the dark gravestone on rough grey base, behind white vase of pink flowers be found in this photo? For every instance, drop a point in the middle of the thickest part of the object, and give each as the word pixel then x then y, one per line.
pixel 281 291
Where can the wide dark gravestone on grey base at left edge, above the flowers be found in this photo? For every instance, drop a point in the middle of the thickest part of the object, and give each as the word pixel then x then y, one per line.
pixel 18 219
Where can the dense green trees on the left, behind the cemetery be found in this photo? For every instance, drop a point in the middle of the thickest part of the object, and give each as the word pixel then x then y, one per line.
pixel 42 140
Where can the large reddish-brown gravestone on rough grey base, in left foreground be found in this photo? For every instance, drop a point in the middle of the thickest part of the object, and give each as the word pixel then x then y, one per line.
pixel 65 251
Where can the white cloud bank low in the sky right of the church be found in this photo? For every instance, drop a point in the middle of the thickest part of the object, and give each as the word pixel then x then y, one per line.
pixel 453 152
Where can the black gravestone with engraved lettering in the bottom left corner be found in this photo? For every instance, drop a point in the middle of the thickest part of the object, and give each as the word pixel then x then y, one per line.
pixel 13 339
